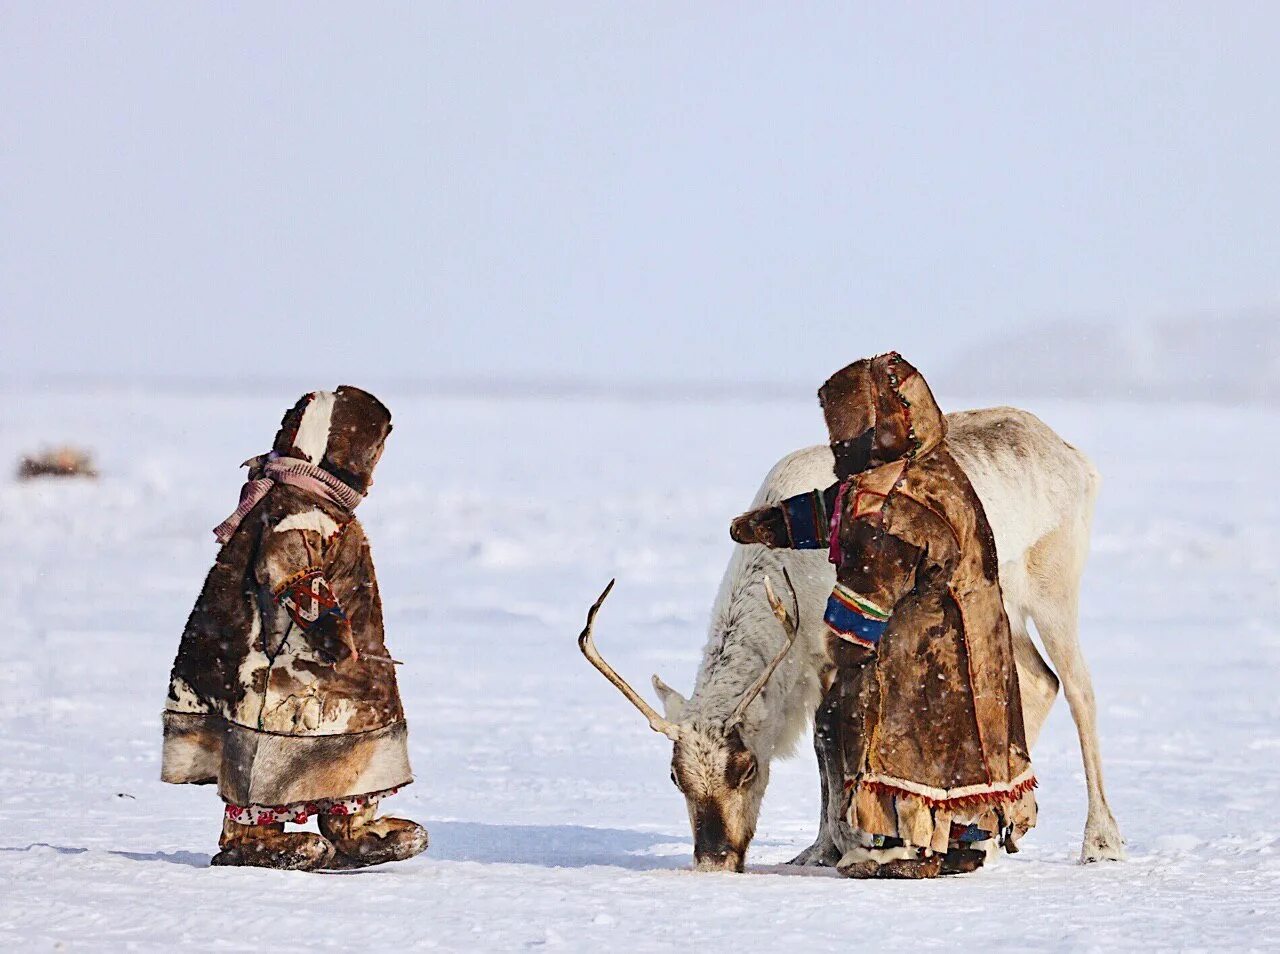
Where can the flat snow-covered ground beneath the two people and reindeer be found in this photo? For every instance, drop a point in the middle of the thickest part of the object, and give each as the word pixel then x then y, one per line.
pixel 495 524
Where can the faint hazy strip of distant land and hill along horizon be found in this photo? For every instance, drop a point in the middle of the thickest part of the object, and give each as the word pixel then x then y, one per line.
pixel 1213 358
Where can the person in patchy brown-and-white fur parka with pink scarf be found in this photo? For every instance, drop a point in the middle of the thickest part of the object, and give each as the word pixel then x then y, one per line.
pixel 284 693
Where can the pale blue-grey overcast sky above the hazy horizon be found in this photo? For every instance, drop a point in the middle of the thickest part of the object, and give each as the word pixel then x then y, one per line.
pixel 618 190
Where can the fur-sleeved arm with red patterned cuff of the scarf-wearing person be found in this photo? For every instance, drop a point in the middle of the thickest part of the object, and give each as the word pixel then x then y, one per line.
pixel 292 568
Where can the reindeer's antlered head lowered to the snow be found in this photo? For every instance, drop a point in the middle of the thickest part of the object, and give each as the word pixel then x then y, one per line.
pixel 712 765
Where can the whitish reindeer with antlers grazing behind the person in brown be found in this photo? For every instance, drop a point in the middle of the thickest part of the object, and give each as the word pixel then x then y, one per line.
pixel 755 697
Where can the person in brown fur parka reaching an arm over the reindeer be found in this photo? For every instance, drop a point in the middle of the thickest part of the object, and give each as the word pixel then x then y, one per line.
pixel 922 704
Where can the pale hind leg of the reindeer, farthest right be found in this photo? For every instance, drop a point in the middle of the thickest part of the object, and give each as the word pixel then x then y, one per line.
pixel 1057 577
